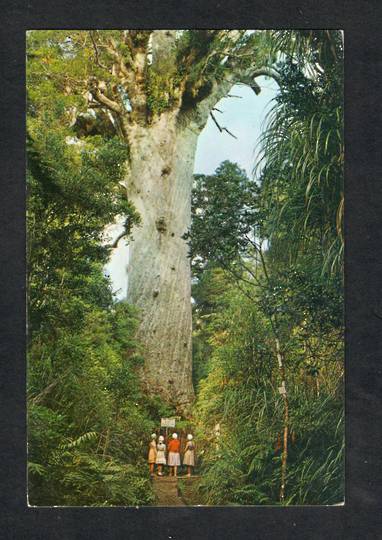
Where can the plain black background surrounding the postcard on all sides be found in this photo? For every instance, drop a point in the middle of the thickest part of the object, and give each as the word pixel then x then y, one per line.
pixel 360 518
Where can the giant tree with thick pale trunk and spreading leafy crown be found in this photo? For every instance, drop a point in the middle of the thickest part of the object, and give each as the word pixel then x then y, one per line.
pixel 156 89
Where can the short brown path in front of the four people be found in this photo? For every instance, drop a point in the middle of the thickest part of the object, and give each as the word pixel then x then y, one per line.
pixel 170 491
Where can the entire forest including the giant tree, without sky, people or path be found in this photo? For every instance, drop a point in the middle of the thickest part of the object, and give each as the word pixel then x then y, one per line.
pixel 265 396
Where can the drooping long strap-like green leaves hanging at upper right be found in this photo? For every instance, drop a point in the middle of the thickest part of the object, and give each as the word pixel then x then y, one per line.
pixel 302 149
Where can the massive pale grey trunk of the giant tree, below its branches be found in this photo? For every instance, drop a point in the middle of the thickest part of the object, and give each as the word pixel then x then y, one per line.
pixel 159 278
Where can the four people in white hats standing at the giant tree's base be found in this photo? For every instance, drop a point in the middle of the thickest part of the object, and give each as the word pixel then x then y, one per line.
pixel 158 450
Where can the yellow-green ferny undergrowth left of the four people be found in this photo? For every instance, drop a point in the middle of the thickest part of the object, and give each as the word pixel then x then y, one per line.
pixel 86 442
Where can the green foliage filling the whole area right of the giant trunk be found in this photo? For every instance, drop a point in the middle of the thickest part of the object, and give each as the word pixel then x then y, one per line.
pixel 280 238
